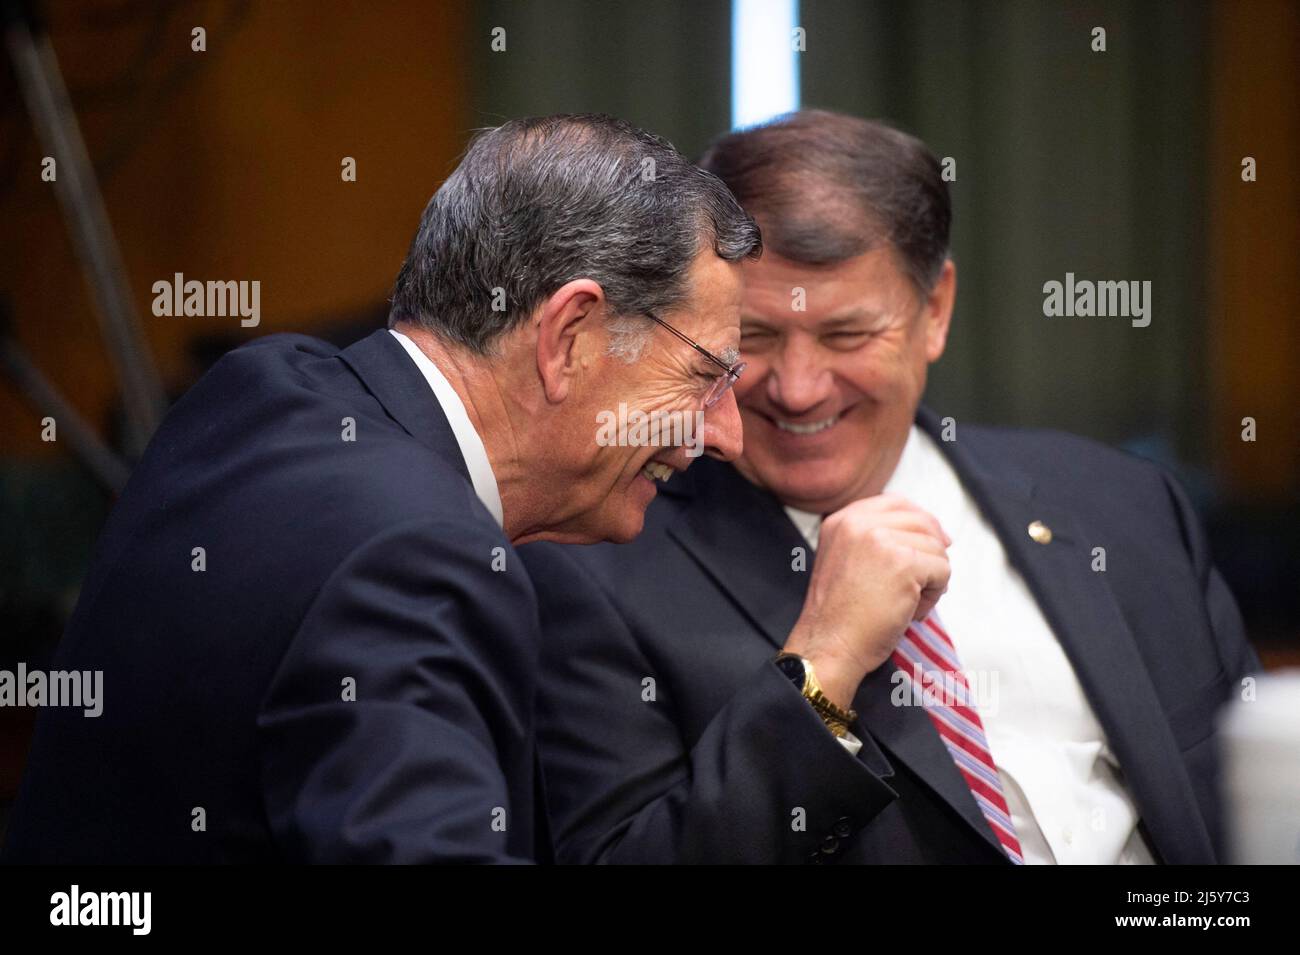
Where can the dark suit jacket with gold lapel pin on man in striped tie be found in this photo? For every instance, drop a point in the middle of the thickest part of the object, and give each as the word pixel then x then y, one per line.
pixel 727 758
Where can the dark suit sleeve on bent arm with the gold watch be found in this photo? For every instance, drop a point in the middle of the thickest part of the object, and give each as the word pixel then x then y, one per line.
pixel 766 782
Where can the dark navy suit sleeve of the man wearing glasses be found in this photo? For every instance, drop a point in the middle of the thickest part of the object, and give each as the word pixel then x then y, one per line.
pixel 382 733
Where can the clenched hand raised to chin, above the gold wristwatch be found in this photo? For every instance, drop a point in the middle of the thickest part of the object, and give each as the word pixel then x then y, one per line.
pixel 882 563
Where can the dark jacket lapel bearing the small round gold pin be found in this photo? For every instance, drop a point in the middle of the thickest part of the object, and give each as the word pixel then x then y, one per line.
pixel 1097 639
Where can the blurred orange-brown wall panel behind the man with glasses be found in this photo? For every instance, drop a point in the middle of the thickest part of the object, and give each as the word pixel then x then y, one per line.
pixel 231 170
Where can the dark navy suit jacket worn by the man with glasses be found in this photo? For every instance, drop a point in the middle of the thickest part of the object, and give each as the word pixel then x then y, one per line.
pixel 327 562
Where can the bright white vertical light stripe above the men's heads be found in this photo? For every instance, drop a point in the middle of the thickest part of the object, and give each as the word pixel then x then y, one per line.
pixel 765 67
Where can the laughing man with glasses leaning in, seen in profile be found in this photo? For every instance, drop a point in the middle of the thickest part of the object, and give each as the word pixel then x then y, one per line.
pixel 317 641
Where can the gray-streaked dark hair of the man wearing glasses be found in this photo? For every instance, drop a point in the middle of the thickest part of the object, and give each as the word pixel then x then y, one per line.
pixel 539 203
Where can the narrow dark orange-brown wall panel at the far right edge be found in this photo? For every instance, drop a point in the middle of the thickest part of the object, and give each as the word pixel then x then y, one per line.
pixel 1255 233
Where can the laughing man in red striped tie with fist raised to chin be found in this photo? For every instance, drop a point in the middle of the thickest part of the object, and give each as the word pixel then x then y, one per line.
pixel 882 637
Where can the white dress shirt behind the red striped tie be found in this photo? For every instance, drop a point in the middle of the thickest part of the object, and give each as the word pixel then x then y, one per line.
pixel 1059 775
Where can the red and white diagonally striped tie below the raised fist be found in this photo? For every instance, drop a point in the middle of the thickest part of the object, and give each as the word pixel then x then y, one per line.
pixel 952 710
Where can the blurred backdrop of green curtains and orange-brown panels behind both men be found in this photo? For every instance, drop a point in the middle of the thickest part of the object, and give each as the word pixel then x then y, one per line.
pixel 1124 164
